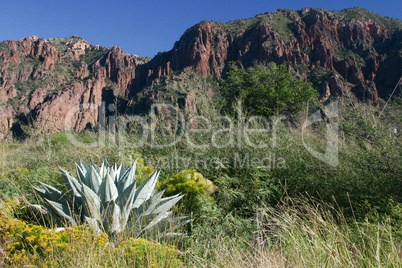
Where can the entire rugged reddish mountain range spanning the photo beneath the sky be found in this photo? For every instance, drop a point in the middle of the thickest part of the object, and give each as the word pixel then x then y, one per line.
pixel 63 81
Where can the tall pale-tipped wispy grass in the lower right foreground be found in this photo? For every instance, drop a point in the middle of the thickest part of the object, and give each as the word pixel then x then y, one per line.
pixel 301 232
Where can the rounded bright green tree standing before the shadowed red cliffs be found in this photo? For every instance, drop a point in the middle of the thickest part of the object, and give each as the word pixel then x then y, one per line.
pixel 266 90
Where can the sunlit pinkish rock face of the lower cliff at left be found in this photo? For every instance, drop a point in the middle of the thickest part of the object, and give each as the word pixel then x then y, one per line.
pixel 60 82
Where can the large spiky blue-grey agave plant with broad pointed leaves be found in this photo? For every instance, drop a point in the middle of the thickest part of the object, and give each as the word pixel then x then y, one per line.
pixel 109 200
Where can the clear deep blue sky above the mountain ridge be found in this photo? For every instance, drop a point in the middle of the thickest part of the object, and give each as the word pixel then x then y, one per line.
pixel 146 27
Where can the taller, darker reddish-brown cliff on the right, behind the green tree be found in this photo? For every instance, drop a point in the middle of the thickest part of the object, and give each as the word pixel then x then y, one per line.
pixel 355 49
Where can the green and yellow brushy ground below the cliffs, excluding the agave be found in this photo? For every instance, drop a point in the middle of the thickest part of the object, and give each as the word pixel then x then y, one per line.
pixel 277 206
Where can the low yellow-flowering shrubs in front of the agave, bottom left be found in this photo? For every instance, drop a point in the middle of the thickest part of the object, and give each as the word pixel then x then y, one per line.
pixel 29 244
